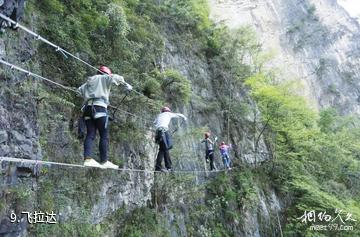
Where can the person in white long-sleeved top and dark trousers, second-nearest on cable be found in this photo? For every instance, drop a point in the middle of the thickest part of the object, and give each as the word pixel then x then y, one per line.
pixel 163 137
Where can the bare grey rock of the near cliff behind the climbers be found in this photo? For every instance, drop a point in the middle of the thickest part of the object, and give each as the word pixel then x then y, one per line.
pixel 36 125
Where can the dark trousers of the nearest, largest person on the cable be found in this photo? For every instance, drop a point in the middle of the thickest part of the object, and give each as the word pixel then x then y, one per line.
pixel 92 125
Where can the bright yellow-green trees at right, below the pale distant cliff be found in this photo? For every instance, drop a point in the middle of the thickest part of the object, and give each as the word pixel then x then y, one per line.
pixel 313 153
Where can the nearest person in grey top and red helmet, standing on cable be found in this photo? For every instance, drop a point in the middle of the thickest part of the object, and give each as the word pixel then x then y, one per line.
pixel 96 92
